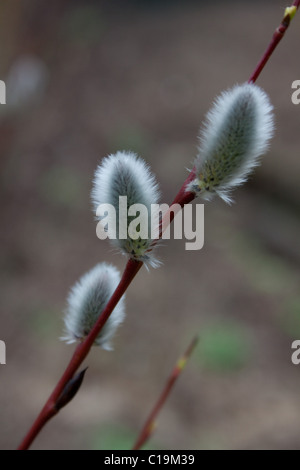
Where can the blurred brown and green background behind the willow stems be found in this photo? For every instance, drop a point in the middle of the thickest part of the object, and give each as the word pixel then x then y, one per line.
pixel 84 79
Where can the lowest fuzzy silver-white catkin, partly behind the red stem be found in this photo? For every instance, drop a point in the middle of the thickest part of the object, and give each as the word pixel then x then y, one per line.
pixel 87 300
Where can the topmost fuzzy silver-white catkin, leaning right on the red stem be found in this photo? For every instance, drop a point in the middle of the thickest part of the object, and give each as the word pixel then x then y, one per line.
pixel 237 131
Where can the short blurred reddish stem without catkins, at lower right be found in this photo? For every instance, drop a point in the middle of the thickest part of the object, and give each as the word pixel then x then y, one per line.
pixel 176 372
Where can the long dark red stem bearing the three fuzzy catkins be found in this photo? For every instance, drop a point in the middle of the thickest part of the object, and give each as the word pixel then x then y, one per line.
pixel 183 197
